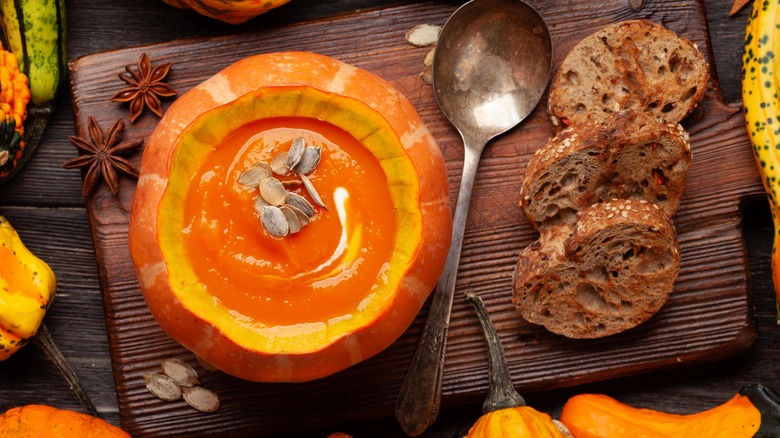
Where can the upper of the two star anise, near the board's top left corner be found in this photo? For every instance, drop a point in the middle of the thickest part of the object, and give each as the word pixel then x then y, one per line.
pixel 146 87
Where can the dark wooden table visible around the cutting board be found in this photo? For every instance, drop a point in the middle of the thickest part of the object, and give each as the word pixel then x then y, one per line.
pixel 45 205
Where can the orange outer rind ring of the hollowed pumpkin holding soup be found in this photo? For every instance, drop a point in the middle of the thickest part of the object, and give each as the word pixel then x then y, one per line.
pixel 323 75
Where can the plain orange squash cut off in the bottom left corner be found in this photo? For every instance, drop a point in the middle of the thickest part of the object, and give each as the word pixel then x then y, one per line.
pixel 33 421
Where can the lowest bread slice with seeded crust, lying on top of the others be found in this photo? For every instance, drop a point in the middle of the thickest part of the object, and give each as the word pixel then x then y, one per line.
pixel 609 272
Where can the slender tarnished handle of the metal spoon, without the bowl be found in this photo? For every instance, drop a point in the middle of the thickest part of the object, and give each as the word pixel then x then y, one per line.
pixel 418 402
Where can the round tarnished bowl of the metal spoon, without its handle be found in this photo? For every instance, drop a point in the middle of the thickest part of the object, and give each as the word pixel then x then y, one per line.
pixel 492 66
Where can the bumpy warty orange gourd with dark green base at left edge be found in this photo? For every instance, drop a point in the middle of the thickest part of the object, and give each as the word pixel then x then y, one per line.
pixel 14 97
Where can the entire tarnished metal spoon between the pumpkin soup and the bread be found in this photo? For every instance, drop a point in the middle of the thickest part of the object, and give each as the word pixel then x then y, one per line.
pixel 491 67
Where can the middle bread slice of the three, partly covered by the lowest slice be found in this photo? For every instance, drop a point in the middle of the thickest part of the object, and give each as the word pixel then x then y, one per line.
pixel 624 155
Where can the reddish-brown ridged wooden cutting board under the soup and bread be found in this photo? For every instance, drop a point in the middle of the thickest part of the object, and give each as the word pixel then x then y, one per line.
pixel 707 318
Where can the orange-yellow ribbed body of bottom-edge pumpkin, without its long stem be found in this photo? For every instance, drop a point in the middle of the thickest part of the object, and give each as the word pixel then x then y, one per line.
pixel 520 422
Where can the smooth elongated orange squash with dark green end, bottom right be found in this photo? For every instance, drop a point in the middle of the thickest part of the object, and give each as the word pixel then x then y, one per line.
pixel 753 412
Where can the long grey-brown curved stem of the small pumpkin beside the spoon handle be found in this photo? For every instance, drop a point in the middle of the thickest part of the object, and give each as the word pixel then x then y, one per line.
pixel 501 392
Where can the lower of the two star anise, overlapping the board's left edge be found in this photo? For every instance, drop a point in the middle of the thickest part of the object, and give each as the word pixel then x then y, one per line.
pixel 102 156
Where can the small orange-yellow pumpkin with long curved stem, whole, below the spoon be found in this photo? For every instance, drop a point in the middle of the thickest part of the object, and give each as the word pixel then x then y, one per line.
pixel 506 415
